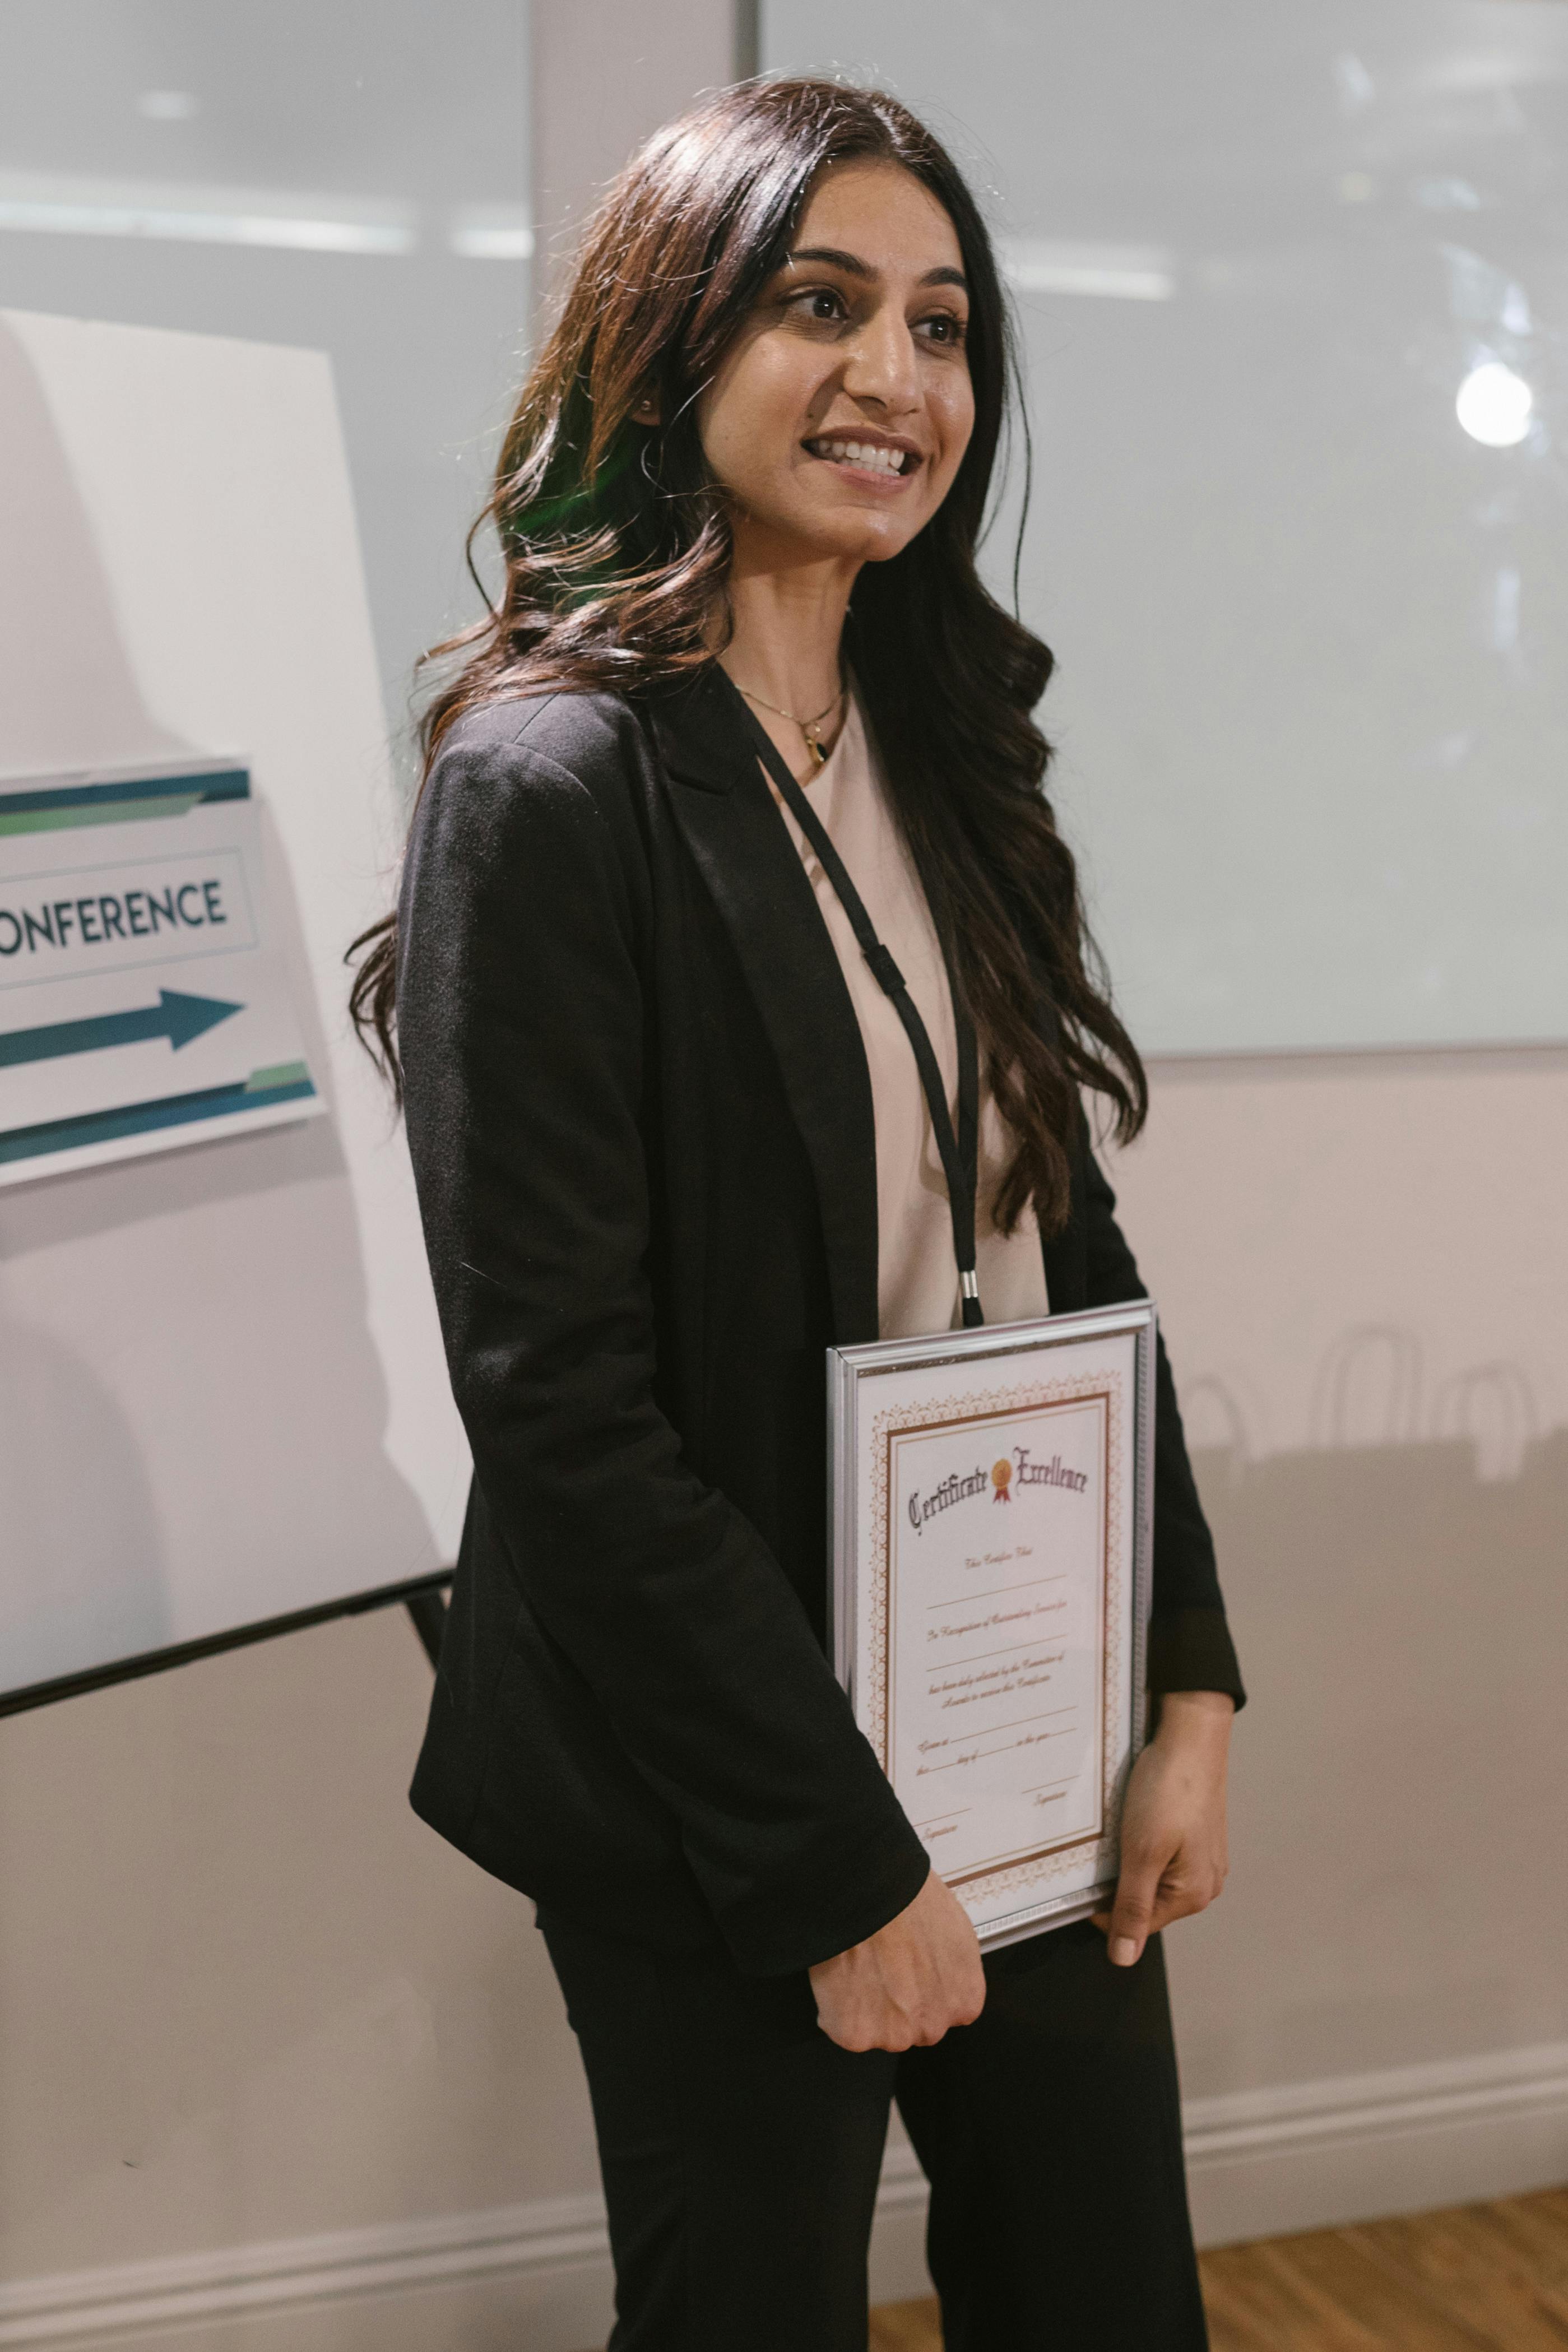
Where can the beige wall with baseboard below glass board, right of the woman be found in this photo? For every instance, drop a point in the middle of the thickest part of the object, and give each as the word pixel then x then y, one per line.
pixel 1365 1278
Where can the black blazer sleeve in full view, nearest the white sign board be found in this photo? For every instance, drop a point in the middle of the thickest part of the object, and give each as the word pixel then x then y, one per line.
pixel 523 1041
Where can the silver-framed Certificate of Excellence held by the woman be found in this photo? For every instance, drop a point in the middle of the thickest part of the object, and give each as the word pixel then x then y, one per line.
pixel 993 1528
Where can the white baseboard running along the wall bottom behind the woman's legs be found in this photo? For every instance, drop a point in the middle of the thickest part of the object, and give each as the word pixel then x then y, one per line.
pixel 1261 2163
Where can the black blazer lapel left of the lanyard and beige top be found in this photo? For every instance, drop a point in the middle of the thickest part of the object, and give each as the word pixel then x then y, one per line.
pixel 770 911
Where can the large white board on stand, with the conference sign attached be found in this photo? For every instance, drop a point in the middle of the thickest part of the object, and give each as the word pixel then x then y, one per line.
pixel 222 1384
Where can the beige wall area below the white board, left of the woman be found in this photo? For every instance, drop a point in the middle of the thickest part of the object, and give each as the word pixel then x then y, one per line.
pixel 246 1993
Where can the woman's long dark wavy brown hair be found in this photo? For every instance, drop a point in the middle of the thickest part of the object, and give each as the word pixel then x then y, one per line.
pixel 617 547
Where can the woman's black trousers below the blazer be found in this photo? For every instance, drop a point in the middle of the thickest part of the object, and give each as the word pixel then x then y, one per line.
pixel 742 2151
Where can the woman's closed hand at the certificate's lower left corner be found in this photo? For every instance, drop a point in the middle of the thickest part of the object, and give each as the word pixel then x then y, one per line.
pixel 906 1984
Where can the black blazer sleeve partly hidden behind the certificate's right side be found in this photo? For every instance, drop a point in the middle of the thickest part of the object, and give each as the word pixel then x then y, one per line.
pixel 1191 1645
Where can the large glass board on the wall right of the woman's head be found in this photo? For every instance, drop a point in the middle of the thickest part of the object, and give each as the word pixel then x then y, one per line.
pixel 1294 295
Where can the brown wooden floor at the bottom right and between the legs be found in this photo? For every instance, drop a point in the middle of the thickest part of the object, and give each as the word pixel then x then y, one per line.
pixel 1473 2280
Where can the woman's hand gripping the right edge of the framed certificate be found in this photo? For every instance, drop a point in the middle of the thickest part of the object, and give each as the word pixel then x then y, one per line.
pixel 1172 1824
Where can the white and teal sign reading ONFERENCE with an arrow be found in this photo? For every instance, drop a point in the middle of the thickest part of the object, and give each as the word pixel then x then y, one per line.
pixel 142 1003
